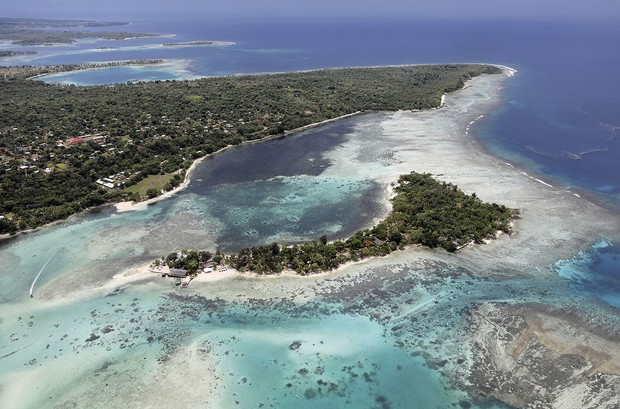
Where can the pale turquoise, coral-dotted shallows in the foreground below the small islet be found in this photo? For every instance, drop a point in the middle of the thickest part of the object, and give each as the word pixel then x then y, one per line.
pixel 324 353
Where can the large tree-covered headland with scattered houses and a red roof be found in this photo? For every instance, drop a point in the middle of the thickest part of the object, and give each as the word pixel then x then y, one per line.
pixel 67 148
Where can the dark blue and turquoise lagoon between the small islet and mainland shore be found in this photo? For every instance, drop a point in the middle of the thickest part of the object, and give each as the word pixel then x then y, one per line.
pixel 288 190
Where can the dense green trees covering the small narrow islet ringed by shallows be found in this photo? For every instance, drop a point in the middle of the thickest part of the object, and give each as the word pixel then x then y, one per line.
pixel 425 212
